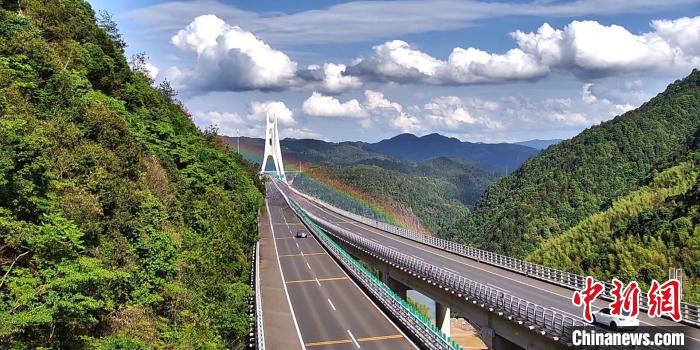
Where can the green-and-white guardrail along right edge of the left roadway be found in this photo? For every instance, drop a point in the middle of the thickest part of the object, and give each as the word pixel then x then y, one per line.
pixel 417 324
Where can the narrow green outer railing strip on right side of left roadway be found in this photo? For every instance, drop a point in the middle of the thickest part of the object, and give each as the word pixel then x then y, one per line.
pixel 412 311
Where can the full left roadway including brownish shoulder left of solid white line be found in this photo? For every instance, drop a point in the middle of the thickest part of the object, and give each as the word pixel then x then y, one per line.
pixel 308 300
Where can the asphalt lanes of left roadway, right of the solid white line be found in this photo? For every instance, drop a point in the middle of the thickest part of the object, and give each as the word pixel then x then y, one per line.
pixel 330 310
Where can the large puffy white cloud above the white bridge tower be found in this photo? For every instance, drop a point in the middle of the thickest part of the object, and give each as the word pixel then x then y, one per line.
pixel 230 58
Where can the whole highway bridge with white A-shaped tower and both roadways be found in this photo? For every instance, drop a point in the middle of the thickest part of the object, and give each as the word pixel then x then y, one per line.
pixel 318 292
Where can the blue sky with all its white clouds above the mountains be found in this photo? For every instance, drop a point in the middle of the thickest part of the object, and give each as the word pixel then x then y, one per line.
pixel 368 70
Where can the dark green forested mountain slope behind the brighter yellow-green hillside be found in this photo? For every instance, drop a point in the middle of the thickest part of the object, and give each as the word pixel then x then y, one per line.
pixel 577 178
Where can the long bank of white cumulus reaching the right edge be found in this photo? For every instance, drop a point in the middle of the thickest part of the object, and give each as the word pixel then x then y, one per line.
pixel 586 48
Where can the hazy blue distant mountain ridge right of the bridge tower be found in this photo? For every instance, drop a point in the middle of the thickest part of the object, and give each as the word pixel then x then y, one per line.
pixel 502 157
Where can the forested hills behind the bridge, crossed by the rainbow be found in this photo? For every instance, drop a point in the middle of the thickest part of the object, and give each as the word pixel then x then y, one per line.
pixel 388 184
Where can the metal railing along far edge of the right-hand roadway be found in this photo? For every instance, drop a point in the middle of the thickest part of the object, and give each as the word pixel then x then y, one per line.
pixel 690 312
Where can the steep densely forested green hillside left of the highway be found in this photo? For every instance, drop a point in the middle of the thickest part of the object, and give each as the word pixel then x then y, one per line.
pixel 121 224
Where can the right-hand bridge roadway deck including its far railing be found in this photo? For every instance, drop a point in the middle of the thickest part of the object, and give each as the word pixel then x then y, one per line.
pixel 534 290
